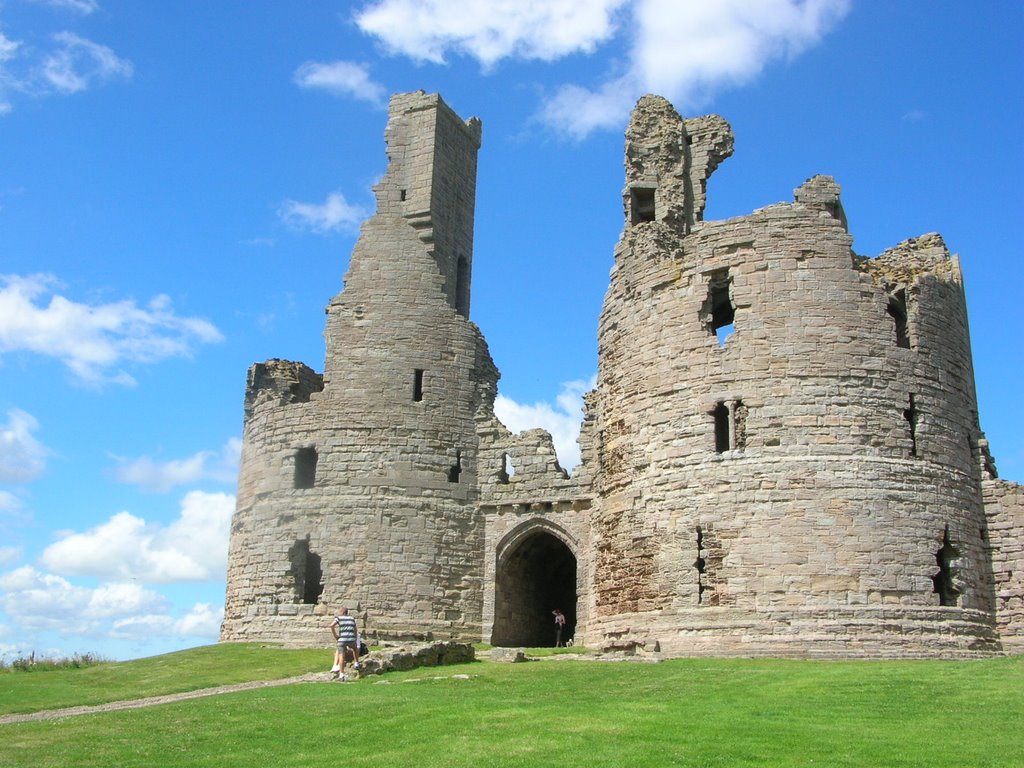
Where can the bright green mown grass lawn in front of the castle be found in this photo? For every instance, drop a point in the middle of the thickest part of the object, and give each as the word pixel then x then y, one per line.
pixel 554 713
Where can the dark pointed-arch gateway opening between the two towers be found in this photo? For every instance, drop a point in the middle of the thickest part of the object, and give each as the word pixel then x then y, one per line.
pixel 536 575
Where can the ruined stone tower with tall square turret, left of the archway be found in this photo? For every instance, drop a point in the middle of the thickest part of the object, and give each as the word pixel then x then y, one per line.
pixel 359 488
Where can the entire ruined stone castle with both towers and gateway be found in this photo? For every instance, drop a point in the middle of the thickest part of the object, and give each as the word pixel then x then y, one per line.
pixel 783 455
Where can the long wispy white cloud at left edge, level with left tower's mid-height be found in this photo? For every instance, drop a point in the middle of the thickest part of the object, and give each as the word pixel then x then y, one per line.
pixel 94 339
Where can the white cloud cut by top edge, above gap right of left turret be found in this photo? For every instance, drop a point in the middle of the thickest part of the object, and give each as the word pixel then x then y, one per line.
pixel 490 30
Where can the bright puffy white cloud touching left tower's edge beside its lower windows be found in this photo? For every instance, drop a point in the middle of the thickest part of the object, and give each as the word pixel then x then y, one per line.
pixel 193 548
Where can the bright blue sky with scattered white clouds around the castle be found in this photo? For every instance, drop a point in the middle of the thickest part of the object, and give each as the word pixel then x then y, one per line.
pixel 182 186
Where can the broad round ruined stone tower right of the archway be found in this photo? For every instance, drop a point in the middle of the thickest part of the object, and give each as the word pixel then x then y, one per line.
pixel 788 432
